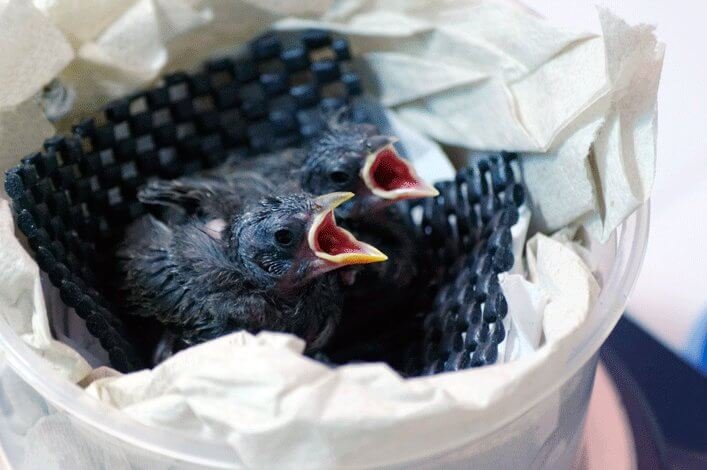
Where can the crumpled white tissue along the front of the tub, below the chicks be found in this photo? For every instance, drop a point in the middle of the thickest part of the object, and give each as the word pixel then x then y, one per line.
pixel 244 388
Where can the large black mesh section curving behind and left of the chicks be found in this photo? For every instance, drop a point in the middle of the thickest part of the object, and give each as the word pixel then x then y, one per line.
pixel 73 198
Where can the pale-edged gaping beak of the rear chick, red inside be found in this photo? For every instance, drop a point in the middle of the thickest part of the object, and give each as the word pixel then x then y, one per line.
pixel 389 176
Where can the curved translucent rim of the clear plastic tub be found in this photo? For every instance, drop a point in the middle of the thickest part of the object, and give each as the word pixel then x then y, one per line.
pixel 71 399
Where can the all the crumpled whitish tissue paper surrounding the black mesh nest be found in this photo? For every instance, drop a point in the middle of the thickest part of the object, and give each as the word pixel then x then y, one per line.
pixel 476 74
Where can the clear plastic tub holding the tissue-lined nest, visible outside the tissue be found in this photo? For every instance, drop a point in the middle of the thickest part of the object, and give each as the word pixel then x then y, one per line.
pixel 46 422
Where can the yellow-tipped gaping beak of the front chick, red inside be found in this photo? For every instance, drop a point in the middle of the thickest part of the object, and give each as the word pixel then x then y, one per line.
pixel 334 245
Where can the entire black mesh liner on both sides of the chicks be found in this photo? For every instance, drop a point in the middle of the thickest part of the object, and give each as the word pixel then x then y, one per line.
pixel 74 198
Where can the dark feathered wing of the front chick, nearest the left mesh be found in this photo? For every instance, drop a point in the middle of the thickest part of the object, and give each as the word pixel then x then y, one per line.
pixel 173 273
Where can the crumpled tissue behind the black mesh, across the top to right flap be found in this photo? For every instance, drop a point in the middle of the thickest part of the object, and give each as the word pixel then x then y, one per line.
pixel 488 75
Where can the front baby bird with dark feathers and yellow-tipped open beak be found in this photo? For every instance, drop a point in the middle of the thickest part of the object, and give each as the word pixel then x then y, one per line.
pixel 268 268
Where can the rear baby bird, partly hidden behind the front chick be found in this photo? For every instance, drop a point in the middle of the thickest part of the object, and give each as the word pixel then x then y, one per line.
pixel 346 157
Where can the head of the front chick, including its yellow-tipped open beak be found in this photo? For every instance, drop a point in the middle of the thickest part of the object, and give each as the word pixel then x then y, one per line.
pixel 292 239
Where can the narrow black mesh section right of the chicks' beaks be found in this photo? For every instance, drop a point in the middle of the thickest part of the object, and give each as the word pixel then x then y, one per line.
pixel 467 233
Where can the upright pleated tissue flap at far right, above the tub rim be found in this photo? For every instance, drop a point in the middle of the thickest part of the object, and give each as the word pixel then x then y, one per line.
pixel 612 180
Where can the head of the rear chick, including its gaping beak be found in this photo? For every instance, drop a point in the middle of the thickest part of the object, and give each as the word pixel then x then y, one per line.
pixel 356 158
